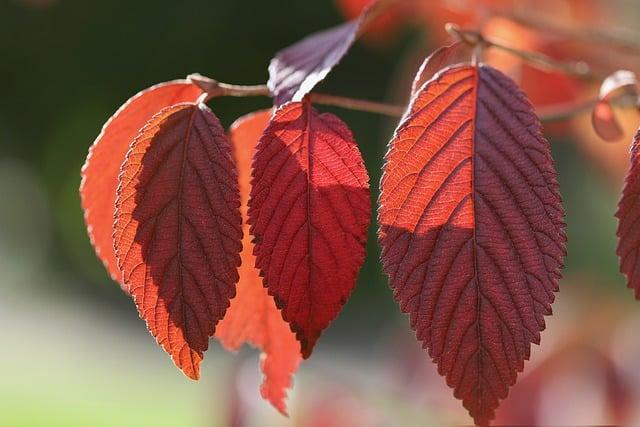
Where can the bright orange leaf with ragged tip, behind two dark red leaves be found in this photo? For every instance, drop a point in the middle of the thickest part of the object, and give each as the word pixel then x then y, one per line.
pixel 253 316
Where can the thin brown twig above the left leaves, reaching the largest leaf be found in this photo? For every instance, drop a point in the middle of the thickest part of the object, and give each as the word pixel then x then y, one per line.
pixel 214 88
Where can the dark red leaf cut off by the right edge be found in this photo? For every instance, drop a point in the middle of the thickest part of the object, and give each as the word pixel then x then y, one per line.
pixel 628 215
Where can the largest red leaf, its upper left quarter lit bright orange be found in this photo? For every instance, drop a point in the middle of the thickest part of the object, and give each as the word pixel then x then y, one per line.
pixel 472 229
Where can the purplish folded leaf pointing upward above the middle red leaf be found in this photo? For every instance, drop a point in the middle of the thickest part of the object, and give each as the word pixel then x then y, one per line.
pixel 295 70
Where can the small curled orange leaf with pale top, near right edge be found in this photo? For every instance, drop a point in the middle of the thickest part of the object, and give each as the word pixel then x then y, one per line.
pixel 603 117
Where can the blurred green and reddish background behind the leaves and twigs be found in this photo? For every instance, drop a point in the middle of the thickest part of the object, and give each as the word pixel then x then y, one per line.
pixel 72 349
